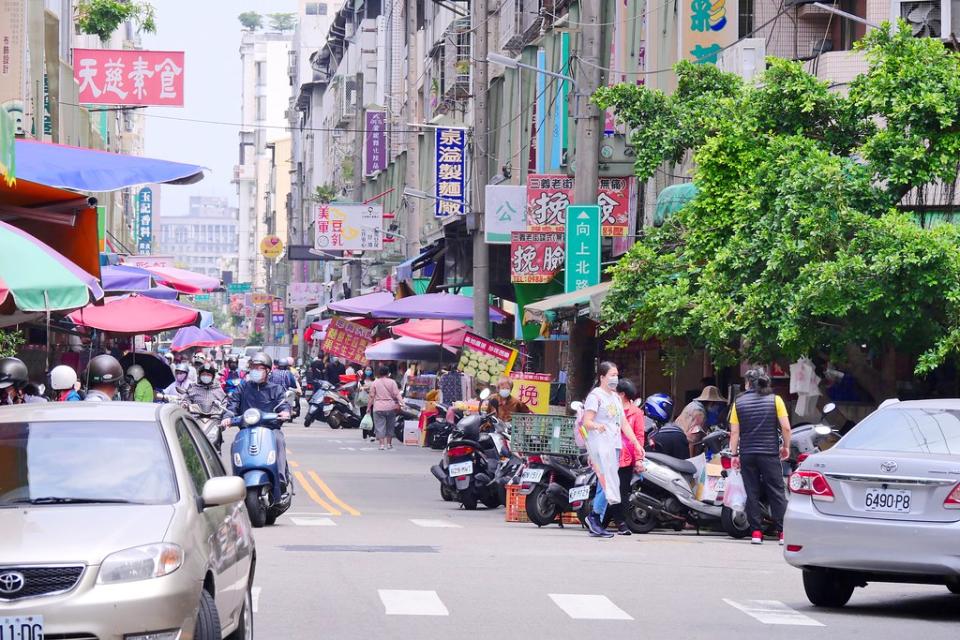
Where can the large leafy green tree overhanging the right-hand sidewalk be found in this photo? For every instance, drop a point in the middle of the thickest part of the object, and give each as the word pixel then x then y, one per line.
pixel 794 244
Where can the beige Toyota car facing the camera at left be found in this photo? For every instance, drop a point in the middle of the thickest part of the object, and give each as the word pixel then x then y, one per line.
pixel 119 523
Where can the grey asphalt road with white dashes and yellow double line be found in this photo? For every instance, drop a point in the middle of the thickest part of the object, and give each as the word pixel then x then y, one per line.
pixel 369 550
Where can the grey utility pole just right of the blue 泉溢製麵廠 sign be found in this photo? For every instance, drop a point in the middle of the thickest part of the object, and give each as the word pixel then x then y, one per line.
pixel 481 252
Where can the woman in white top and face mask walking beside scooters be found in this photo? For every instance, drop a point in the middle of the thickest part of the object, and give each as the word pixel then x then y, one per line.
pixel 603 418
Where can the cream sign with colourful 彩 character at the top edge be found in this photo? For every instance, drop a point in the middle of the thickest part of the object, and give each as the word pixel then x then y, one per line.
pixel 706 28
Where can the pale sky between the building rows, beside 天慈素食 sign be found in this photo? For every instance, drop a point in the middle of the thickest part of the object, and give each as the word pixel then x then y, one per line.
pixel 209 33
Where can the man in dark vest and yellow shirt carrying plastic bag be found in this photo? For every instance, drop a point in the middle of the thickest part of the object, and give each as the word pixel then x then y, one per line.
pixel 760 439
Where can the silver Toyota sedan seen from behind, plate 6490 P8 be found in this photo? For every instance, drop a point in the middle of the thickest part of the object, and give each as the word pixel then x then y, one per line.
pixel 883 505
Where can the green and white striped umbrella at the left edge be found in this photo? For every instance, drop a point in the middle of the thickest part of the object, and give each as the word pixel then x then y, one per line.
pixel 37 278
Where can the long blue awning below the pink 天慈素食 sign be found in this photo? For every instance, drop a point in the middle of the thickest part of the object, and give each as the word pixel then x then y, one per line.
pixel 93 170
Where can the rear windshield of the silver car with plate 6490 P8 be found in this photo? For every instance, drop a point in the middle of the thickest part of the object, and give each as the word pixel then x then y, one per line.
pixel 907 429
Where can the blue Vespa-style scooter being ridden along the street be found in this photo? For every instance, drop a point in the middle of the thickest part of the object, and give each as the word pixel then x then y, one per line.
pixel 254 458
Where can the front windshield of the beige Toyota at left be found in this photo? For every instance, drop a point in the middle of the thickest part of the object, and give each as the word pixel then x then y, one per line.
pixel 84 462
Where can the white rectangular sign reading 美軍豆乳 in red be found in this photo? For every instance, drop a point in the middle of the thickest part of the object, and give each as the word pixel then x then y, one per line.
pixel 349 227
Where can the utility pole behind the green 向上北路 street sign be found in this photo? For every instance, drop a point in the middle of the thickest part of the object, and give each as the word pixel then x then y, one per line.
pixel 580 365
